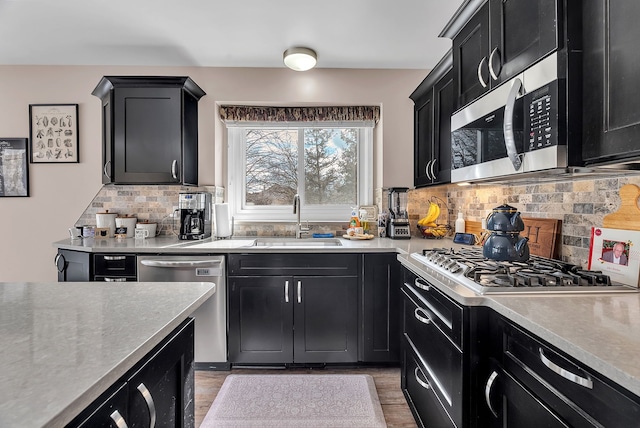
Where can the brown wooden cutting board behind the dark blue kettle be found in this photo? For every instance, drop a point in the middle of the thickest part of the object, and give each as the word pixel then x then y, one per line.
pixel 543 233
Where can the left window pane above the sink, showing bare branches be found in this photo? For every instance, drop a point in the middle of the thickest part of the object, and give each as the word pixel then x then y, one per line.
pixel 271 166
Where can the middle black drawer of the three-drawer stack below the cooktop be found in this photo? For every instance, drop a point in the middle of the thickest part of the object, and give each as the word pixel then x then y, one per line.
pixel 440 359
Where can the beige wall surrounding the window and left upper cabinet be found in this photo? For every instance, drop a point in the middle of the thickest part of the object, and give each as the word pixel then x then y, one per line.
pixel 59 193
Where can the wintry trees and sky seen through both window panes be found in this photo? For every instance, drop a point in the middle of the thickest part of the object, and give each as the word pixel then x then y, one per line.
pixel 330 165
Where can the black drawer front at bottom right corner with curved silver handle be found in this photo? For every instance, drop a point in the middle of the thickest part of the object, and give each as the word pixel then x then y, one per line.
pixel 535 364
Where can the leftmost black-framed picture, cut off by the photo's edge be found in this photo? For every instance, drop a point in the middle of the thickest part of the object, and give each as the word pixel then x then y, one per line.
pixel 14 167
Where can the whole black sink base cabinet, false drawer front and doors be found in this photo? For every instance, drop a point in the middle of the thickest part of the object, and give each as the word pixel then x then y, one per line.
pixel 308 316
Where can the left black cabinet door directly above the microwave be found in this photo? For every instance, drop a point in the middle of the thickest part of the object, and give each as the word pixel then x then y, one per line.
pixel 470 58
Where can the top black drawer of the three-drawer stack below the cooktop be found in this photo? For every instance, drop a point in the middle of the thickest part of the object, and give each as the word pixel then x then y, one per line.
pixel 445 313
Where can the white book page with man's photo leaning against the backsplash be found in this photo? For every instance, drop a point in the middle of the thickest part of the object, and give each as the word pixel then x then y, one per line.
pixel 616 252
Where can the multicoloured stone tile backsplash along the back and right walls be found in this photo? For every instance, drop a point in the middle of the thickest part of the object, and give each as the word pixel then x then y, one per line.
pixel 580 204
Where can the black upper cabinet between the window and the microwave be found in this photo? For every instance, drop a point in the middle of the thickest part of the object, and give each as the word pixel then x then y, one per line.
pixel 433 105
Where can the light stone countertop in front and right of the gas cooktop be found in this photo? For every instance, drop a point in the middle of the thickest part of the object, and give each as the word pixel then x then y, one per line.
pixel 601 330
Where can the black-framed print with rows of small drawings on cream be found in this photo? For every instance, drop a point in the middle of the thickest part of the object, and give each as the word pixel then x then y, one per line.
pixel 53 130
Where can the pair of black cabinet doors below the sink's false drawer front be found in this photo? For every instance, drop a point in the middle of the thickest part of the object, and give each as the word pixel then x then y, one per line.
pixel 298 319
